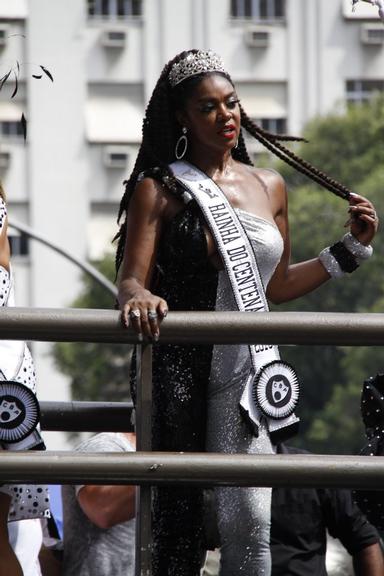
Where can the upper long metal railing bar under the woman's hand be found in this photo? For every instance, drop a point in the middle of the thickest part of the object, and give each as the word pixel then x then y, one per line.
pixel 85 325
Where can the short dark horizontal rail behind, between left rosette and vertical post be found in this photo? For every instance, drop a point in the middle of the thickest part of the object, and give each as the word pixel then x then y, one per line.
pixel 86 416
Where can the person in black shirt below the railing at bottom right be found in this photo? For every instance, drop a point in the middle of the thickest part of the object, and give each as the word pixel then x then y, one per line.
pixel 301 519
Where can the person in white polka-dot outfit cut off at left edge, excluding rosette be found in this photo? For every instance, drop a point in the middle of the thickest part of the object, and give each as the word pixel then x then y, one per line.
pixel 17 502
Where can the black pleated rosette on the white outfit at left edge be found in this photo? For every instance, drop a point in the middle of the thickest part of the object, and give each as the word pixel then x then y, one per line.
pixel 19 411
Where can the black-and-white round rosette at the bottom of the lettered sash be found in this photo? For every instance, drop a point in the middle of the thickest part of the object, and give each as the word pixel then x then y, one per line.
pixel 276 389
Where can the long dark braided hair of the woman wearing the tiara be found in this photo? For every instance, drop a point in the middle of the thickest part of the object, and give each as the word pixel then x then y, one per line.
pixel 161 130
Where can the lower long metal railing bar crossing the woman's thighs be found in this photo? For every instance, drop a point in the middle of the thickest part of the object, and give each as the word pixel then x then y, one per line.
pixel 193 469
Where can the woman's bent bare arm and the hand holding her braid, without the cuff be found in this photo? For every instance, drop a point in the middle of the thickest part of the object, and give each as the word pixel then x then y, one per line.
pixel 291 281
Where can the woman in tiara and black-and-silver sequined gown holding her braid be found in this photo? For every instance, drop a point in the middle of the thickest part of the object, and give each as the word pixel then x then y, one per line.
pixel 167 259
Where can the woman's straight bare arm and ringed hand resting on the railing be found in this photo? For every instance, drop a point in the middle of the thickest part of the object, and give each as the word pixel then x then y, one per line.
pixel 147 211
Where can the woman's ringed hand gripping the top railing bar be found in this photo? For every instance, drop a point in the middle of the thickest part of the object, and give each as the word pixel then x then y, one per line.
pixel 144 312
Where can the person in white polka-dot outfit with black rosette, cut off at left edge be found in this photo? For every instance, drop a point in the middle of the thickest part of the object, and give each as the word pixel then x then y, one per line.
pixel 17 372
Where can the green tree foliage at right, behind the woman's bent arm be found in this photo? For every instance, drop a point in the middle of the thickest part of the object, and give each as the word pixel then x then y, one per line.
pixel 349 147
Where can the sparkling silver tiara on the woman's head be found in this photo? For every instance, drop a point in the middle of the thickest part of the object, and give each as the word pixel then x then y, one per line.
pixel 201 61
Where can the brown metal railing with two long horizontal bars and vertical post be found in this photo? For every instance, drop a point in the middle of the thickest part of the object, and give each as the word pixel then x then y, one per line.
pixel 147 468
